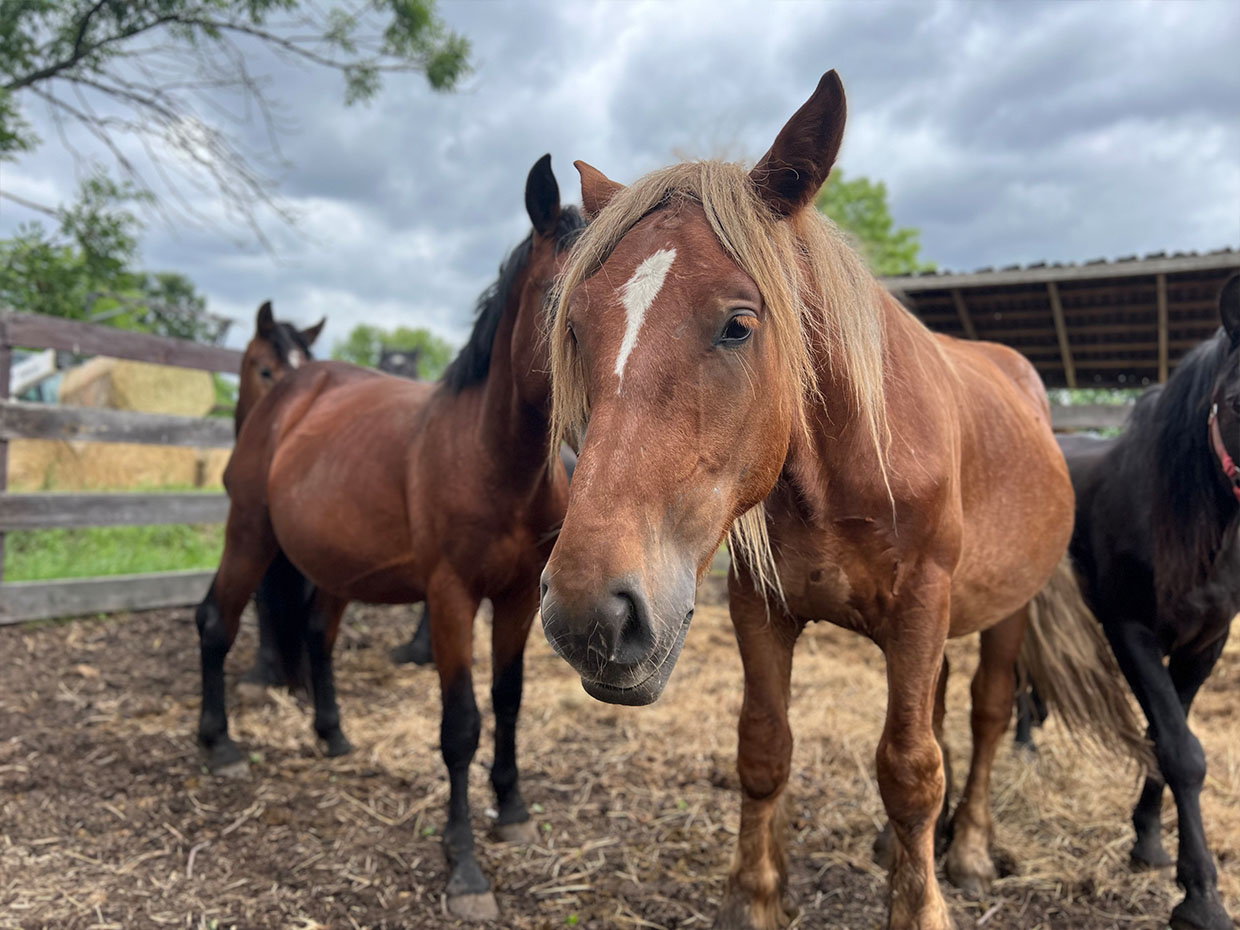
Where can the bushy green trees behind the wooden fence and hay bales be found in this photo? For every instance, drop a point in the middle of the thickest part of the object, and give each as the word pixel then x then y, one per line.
pixel 87 271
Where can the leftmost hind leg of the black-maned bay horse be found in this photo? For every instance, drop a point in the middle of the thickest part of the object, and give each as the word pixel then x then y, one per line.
pixel 250 546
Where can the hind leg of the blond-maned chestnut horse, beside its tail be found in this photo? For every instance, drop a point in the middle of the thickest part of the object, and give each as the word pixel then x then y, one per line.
pixel 970 866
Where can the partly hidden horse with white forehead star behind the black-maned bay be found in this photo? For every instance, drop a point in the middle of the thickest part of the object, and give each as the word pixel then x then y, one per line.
pixel 285 596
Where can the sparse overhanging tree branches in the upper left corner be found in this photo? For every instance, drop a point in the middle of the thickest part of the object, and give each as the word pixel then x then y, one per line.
pixel 179 80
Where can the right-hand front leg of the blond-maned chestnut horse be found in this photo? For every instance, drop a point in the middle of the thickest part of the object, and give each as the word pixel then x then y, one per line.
pixel 911 774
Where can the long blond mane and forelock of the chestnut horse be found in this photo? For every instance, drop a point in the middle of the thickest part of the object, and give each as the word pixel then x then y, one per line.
pixel 818 291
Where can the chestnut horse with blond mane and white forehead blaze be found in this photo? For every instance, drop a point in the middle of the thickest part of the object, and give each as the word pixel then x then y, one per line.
pixel 741 373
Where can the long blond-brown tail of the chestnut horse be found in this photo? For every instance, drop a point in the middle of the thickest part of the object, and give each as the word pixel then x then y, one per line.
pixel 1069 662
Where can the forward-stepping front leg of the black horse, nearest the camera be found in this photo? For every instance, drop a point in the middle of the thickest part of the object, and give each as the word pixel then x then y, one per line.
pixel 1182 764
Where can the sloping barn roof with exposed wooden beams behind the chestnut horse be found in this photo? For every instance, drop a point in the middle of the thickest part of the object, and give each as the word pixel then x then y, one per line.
pixel 1122 323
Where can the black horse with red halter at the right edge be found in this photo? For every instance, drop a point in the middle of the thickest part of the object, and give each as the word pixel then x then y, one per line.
pixel 1156 555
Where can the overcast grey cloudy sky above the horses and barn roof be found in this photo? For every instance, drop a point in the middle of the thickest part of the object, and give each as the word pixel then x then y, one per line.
pixel 1007 133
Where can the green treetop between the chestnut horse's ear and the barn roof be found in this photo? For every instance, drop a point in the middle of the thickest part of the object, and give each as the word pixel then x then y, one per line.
pixel 860 208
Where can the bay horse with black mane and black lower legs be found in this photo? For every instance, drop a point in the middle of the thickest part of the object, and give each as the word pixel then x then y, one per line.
pixel 387 490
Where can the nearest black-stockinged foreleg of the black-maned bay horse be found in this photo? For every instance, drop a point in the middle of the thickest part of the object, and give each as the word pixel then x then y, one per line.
pixel 452 633
